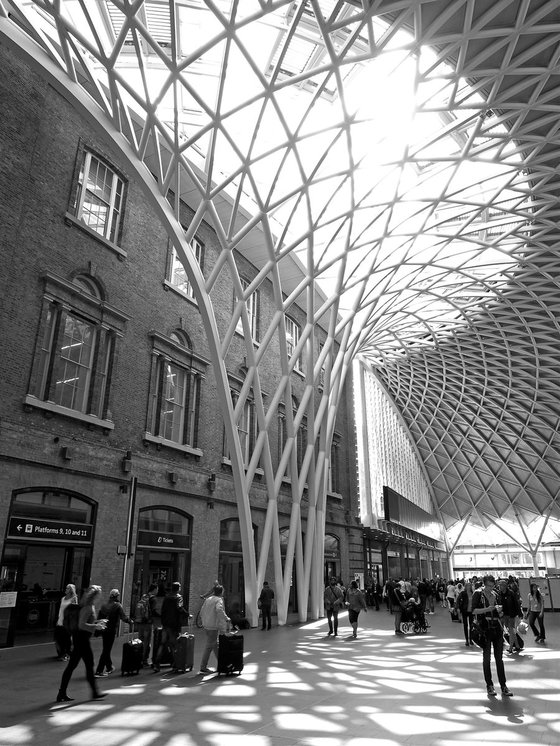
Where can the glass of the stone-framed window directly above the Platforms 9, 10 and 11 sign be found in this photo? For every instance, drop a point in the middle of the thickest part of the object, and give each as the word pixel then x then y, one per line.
pixel 73 369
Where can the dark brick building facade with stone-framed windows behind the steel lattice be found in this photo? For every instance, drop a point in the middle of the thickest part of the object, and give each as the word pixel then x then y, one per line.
pixel 102 479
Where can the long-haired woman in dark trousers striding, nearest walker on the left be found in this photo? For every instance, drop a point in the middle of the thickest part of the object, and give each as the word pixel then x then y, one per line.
pixel 87 624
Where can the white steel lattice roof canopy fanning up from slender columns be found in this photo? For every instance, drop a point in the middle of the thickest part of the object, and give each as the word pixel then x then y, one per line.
pixel 392 169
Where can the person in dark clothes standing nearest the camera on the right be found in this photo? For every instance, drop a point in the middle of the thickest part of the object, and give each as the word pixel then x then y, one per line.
pixel 487 613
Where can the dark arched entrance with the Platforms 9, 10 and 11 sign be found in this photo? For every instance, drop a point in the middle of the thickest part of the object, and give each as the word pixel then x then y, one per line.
pixel 48 544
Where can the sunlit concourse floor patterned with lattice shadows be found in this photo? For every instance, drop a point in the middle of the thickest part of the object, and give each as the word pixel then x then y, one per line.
pixel 299 687
